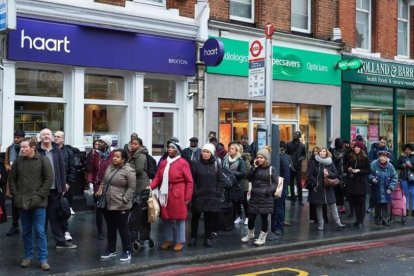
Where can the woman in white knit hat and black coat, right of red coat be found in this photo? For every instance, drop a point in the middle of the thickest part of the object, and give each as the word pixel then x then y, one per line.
pixel 208 186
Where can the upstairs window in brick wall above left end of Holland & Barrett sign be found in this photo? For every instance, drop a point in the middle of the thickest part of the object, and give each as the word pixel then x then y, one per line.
pixel 363 24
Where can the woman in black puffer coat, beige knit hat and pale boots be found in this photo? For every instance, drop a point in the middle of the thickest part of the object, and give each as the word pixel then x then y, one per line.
pixel 264 178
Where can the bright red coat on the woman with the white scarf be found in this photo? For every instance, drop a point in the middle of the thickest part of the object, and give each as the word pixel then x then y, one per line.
pixel 180 188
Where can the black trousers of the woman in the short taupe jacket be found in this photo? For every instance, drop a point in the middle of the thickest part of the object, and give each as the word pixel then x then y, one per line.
pixel 117 220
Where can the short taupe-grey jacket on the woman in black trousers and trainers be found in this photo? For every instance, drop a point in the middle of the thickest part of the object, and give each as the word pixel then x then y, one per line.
pixel 121 188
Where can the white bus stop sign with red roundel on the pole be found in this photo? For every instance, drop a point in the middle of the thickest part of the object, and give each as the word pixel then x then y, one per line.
pixel 256 68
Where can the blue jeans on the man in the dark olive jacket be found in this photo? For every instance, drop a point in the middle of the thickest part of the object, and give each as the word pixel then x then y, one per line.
pixel 34 220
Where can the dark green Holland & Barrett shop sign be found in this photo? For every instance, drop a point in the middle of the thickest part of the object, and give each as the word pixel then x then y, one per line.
pixel 375 72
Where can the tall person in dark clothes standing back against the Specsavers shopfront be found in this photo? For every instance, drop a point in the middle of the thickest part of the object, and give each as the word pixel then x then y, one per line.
pixel 297 152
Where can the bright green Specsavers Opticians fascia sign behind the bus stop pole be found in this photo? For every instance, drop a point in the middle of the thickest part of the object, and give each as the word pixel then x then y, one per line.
pixel 288 64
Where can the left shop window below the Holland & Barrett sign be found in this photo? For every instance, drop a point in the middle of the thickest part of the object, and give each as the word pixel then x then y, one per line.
pixel 371 113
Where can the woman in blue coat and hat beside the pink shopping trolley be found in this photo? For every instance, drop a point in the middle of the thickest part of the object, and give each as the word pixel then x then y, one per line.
pixel 383 178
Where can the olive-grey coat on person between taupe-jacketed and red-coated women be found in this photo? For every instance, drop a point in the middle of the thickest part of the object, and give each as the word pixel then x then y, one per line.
pixel 139 162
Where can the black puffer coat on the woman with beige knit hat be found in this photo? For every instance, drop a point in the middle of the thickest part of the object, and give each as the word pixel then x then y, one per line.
pixel 263 189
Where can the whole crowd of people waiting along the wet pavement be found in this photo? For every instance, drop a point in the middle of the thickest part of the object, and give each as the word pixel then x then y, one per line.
pixel 195 182
